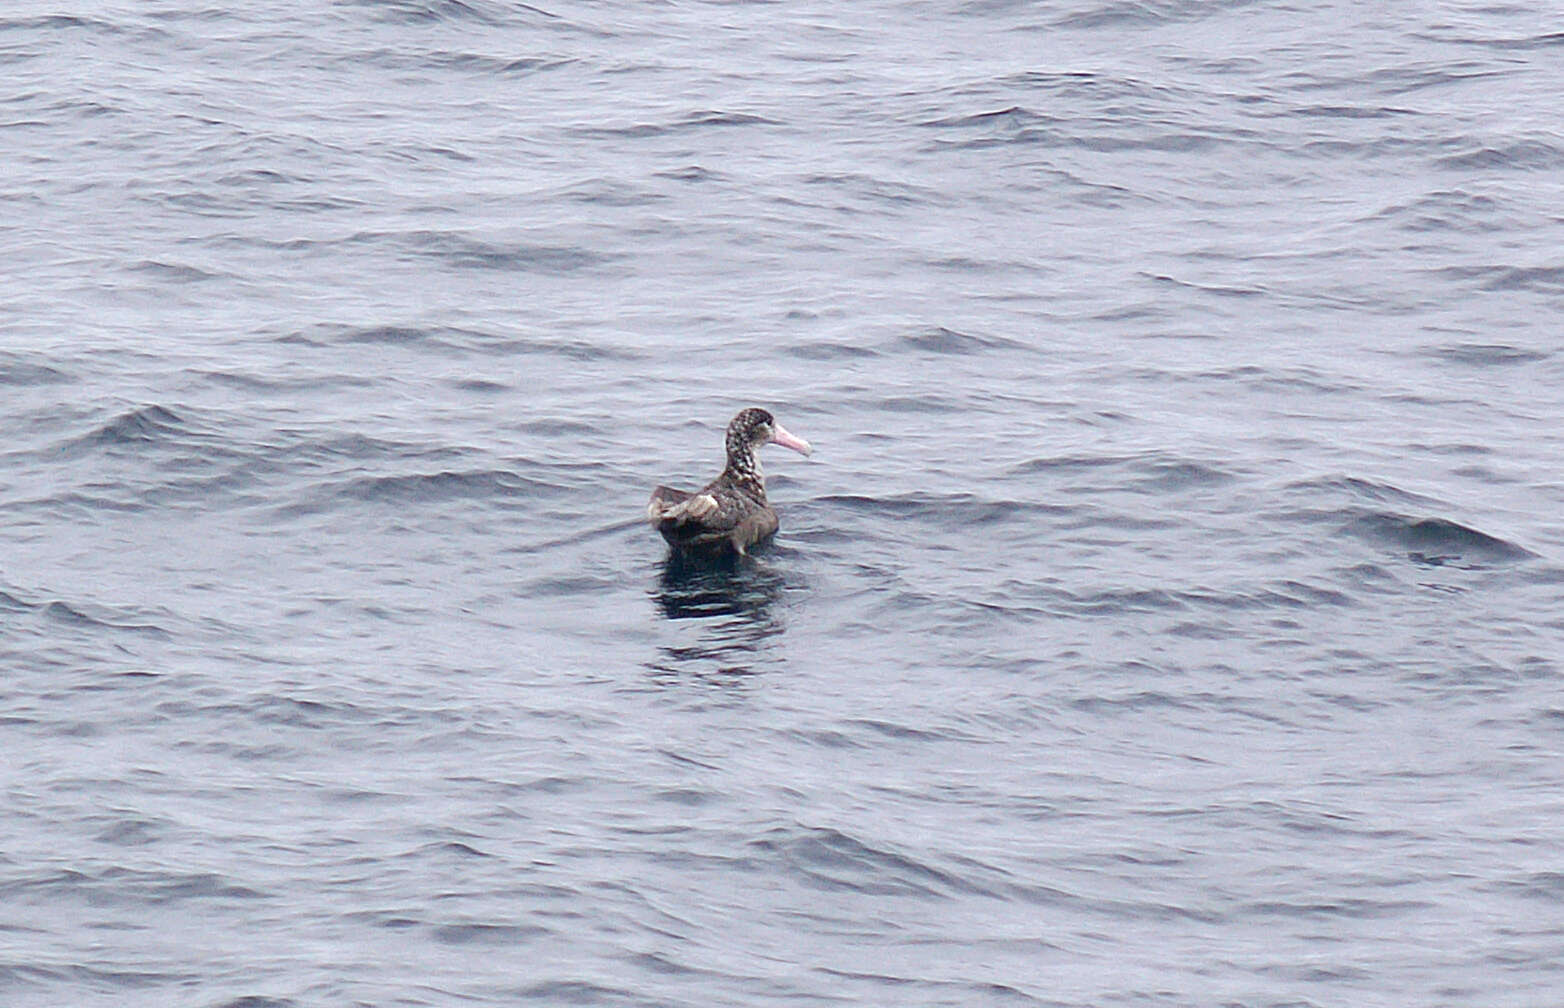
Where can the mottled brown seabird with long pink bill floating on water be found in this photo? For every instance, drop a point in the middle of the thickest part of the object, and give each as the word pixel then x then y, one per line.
pixel 731 512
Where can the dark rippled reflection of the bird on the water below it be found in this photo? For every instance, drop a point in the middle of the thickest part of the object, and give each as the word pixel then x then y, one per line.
pixel 731 601
